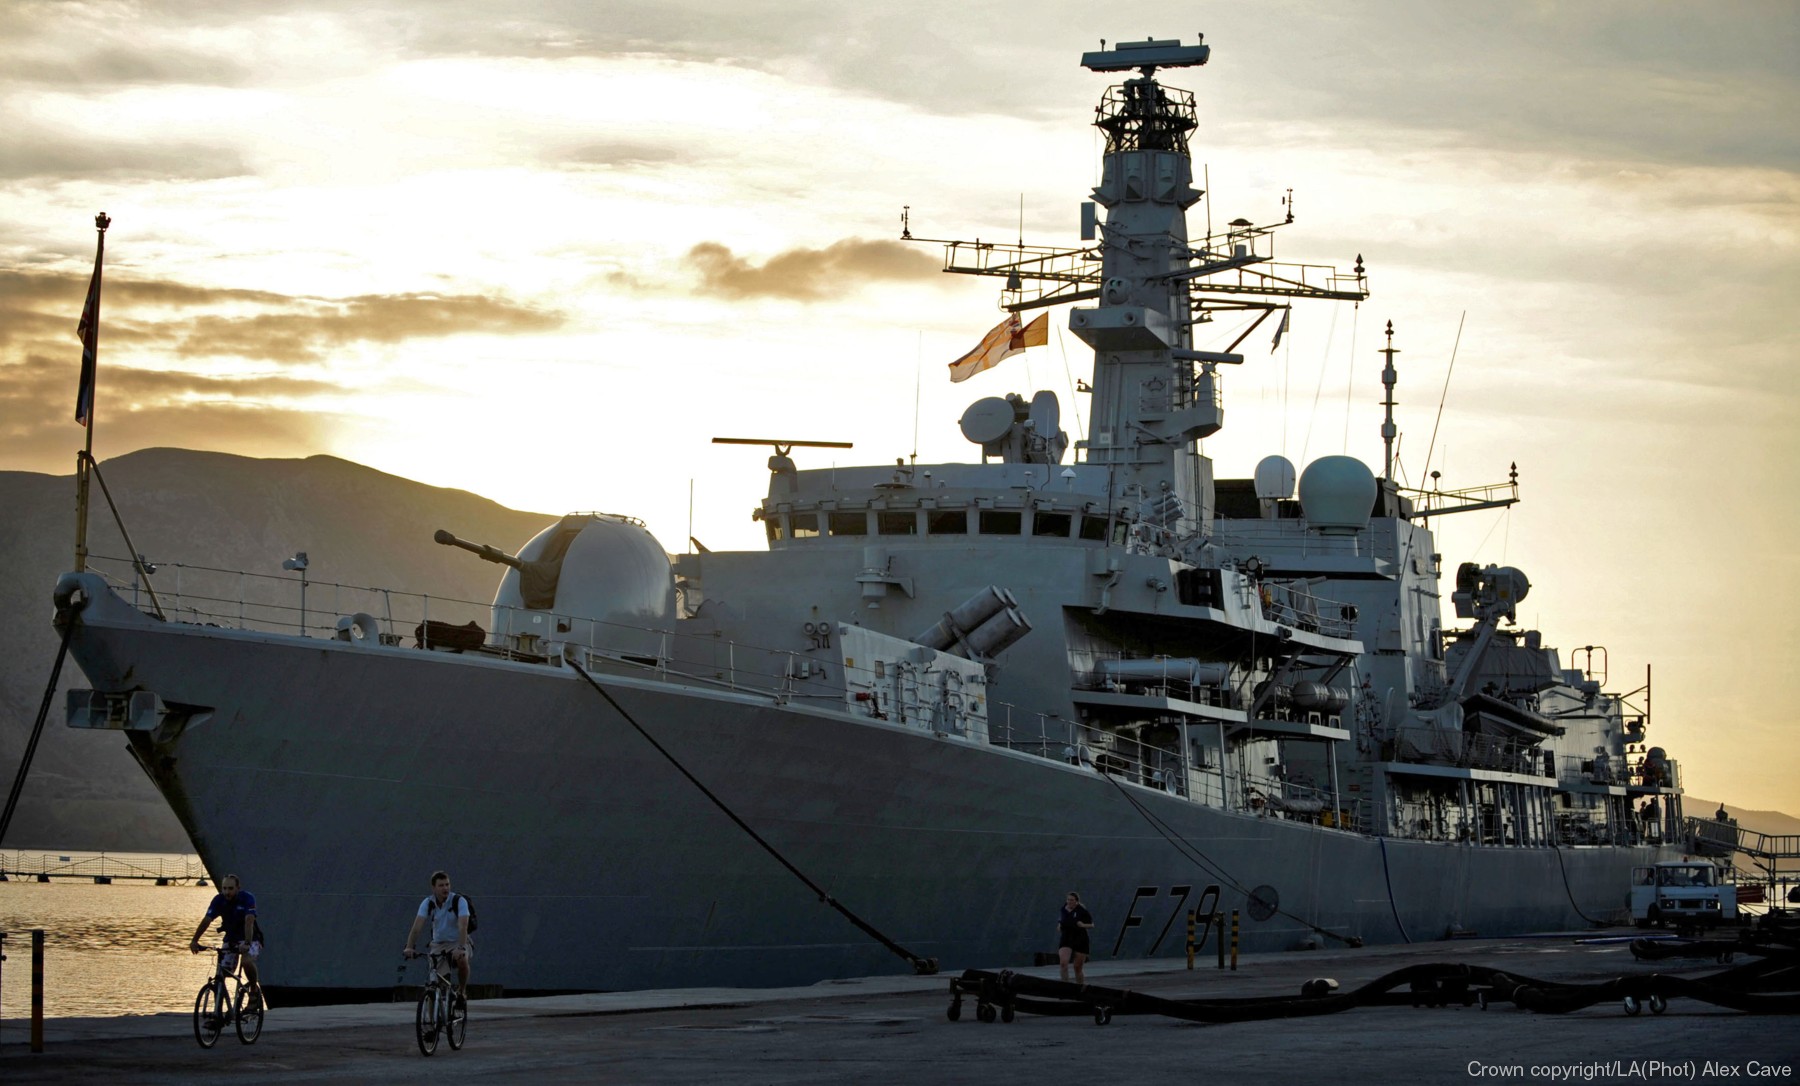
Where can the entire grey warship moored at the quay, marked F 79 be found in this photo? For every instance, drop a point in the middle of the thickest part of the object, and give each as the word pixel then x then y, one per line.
pixel 939 700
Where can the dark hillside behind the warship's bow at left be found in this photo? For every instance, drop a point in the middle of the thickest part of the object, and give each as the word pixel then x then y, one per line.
pixel 201 509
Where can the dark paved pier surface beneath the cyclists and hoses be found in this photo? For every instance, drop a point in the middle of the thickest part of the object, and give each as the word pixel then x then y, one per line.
pixel 894 1029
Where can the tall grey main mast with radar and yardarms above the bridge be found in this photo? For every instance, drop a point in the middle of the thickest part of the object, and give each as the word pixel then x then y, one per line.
pixel 1155 395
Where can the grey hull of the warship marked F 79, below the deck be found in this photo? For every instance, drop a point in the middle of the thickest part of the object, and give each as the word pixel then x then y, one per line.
pixel 334 779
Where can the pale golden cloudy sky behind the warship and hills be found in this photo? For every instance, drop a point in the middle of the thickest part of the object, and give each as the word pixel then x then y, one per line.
pixel 546 255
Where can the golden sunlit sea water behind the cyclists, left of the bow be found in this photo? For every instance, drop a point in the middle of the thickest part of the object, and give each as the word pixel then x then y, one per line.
pixel 109 950
